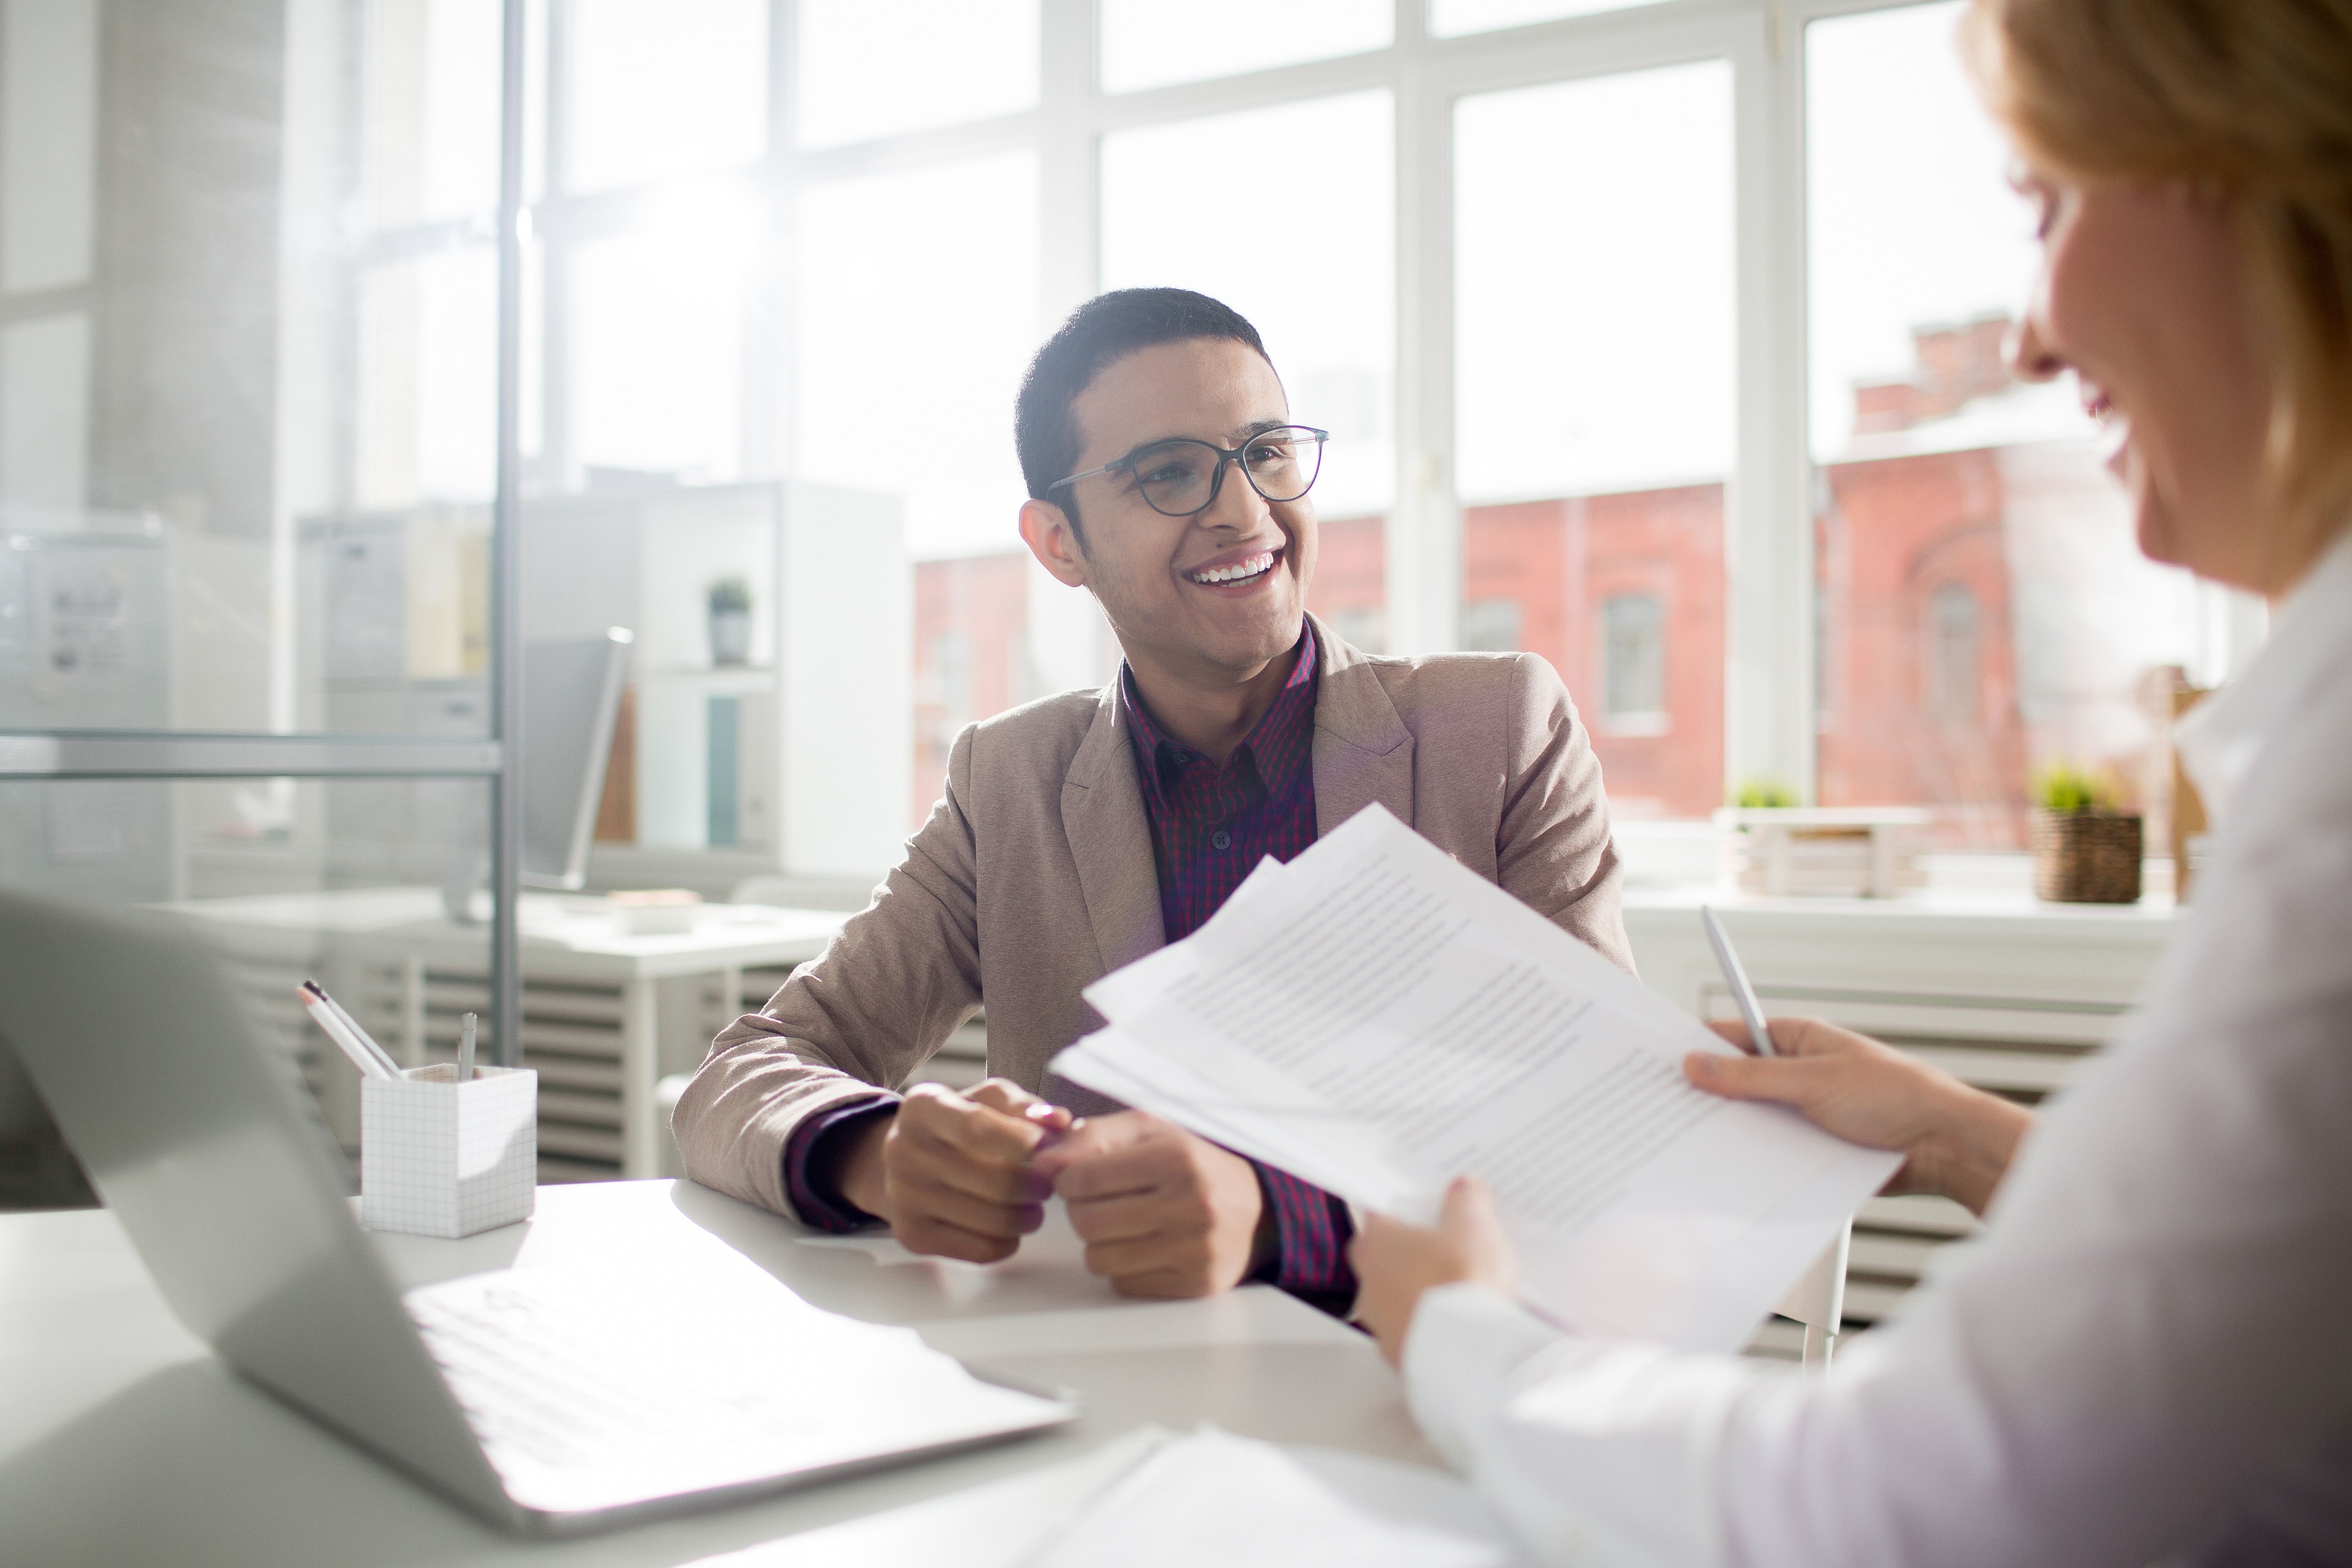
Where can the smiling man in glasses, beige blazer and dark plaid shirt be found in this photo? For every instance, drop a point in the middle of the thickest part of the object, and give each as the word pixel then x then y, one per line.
pixel 1078 833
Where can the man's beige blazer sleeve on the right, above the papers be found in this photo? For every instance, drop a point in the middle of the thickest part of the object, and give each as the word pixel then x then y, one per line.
pixel 1553 847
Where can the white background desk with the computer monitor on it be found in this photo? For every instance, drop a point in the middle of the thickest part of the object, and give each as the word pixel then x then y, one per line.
pixel 561 939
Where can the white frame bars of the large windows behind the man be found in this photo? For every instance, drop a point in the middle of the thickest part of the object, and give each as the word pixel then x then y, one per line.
pixel 1770 678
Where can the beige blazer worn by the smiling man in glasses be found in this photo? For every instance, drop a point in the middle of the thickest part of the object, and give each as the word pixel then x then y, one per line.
pixel 1034 878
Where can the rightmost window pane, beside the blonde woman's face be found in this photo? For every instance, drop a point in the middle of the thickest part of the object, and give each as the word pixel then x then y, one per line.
pixel 1984 608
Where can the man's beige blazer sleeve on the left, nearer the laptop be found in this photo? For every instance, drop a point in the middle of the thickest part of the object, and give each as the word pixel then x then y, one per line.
pixel 862 1017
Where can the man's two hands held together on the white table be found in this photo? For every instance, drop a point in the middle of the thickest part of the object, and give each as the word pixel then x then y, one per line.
pixel 968 1174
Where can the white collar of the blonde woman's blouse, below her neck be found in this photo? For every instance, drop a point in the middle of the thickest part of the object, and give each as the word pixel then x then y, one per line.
pixel 2311 638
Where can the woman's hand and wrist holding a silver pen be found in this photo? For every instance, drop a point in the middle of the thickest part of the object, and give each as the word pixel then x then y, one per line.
pixel 1956 1141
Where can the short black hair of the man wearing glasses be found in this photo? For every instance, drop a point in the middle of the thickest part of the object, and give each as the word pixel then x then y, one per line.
pixel 1107 328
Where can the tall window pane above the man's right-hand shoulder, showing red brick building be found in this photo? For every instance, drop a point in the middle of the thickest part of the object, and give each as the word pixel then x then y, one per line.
pixel 1596 351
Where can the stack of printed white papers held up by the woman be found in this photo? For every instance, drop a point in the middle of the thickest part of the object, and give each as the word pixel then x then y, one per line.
pixel 1377 1019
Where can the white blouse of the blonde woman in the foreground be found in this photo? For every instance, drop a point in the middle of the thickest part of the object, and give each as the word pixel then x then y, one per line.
pixel 2151 1346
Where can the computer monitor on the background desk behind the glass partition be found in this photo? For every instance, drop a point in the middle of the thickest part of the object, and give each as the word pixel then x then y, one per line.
pixel 570 702
